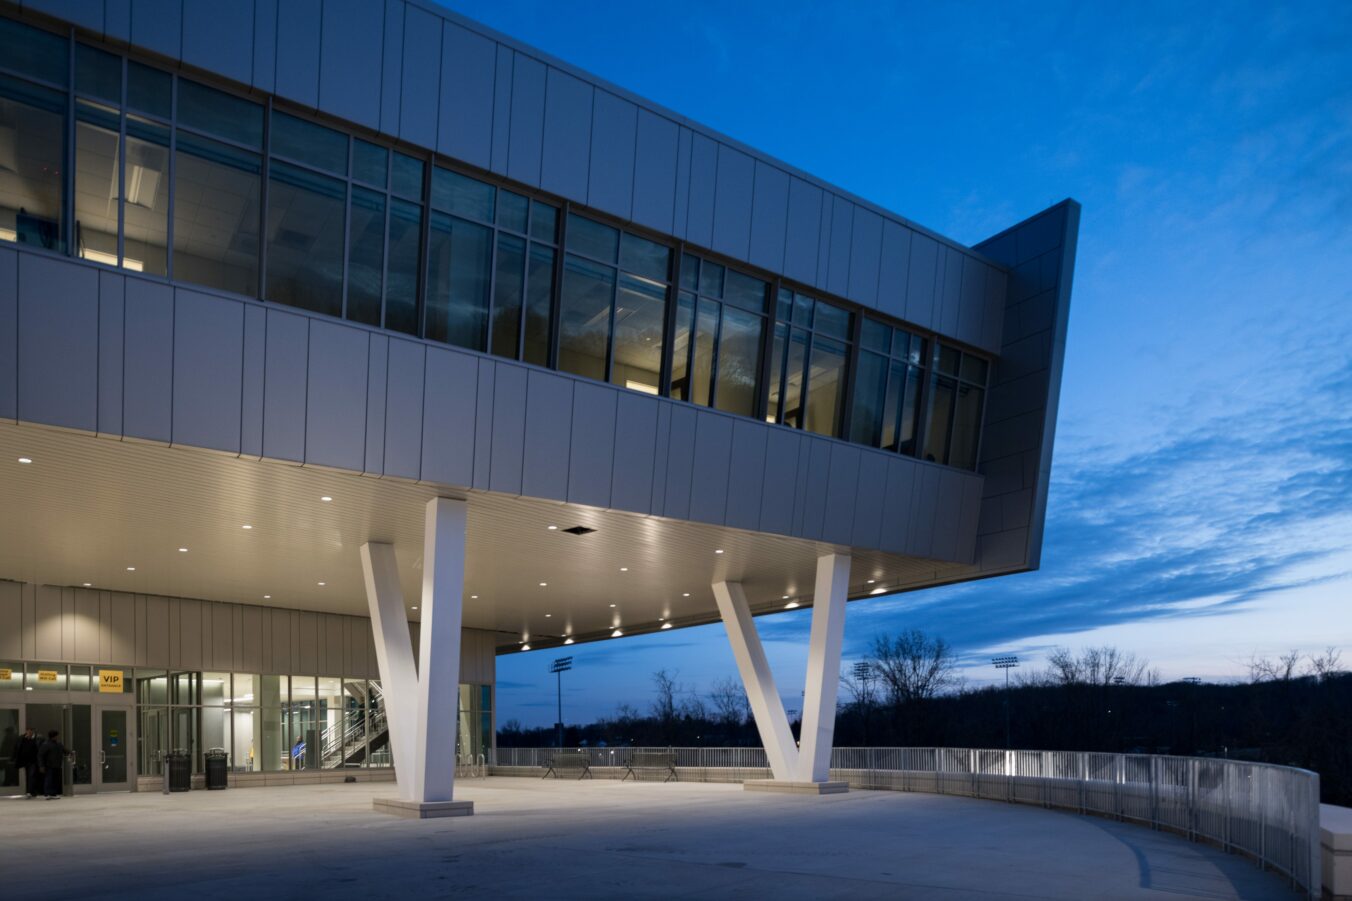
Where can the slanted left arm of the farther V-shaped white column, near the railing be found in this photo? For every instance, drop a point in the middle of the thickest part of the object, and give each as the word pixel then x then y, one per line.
pixel 767 707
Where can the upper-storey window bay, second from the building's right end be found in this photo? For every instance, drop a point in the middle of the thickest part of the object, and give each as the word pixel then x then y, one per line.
pixel 888 390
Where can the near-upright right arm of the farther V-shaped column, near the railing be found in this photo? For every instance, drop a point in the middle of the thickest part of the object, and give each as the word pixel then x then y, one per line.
pixel 824 668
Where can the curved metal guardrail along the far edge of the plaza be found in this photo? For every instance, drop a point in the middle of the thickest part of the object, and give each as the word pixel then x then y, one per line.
pixel 1266 812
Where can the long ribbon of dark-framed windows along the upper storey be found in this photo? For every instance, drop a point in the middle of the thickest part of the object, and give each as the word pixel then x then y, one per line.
pixel 176 179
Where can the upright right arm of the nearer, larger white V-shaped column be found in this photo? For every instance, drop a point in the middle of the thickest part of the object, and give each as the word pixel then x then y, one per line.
pixel 439 685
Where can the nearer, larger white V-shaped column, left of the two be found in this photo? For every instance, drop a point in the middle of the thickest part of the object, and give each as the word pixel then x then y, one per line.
pixel 421 708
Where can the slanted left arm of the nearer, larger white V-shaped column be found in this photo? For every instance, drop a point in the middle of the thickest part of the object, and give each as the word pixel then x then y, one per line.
pixel 394 655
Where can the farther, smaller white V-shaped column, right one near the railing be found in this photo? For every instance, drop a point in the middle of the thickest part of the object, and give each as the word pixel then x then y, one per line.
pixel 789 762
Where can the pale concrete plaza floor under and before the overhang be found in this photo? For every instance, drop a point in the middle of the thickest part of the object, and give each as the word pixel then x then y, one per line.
pixel 605 839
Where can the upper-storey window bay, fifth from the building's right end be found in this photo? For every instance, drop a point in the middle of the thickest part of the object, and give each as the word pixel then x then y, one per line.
pixel 613 306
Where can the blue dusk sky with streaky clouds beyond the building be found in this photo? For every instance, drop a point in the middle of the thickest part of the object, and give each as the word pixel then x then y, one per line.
pixel 1201 503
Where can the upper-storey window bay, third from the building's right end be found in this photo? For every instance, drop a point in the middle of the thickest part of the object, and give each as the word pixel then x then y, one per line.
pixel 809 365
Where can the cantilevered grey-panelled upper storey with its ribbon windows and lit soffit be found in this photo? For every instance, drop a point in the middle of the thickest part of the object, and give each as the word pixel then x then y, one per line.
pixel 382 240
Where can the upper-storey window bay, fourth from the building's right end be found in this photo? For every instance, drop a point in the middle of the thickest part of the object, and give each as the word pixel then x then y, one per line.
pixel 717 346
